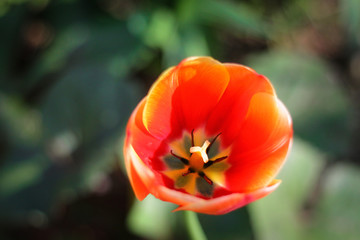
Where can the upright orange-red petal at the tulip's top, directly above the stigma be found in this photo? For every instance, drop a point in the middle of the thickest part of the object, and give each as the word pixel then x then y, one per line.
pixel 202 82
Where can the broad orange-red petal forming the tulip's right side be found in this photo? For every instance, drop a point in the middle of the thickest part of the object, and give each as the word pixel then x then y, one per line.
pixel 262 145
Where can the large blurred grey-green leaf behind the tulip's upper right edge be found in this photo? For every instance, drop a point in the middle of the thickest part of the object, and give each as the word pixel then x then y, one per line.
pixel 307 87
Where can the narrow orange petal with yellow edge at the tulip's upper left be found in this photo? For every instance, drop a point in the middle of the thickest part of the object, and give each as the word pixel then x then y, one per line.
pixel 158 111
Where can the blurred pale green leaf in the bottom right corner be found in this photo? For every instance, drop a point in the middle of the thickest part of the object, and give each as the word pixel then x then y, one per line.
pixel 337 215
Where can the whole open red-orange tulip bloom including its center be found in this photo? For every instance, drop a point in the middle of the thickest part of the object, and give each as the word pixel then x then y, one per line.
pixel 209 137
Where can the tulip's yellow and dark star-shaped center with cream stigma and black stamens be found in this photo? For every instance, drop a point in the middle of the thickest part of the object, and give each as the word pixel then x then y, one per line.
pixel 195 168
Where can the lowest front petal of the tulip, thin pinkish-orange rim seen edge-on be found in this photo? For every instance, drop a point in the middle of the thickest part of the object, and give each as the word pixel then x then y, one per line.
pixel 228 203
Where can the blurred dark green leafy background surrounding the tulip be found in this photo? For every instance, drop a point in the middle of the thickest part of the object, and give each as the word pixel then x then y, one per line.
pixel 71 71
